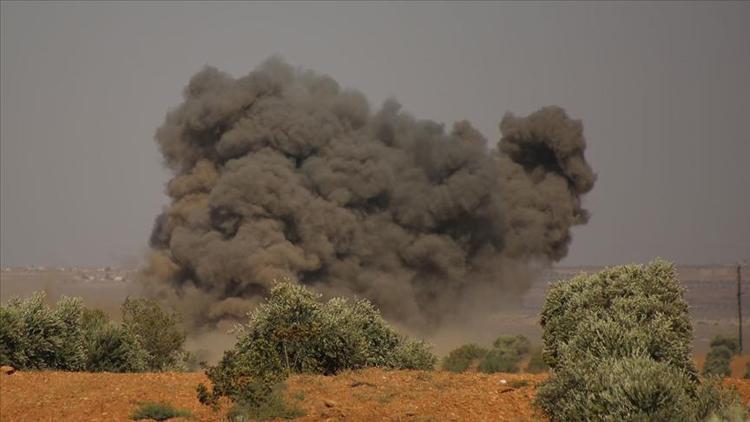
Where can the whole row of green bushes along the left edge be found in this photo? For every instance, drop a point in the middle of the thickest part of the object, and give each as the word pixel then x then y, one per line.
pixel 72 337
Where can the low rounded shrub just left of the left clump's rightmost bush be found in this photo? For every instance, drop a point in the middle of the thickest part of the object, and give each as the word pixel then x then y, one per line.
pixel 113 348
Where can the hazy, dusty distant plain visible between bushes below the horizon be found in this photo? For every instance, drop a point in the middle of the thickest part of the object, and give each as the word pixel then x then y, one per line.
pixel 711 294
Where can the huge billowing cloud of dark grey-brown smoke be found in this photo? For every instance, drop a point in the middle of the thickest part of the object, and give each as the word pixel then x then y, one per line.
pixel 284 173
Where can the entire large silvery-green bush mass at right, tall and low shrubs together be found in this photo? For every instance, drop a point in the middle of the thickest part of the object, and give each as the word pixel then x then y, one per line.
pixel 618 343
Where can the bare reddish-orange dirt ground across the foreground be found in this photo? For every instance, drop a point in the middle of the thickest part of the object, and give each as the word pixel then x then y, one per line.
pixel 372 394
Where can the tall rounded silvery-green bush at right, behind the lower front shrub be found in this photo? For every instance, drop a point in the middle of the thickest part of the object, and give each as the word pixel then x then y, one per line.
pixel 639 292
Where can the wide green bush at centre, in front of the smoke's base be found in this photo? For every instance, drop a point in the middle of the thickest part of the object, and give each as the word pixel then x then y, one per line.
pixel 294 332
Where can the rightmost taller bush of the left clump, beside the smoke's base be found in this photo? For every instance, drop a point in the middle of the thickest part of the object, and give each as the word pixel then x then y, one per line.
pixel 158 332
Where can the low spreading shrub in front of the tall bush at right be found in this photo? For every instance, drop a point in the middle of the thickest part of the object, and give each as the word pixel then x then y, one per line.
pixel 634 388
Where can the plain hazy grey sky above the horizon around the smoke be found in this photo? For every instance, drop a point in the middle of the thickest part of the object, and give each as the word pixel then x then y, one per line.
pixel 663 91
